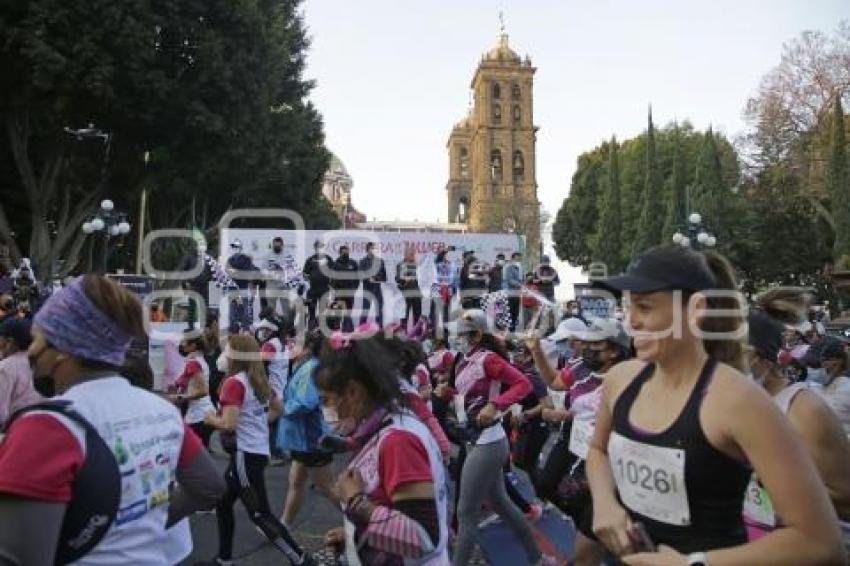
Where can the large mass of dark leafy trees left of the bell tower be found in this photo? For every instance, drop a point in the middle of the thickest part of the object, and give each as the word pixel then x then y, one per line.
pixel 214 91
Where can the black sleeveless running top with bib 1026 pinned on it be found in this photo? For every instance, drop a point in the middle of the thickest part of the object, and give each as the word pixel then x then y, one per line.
pixel 687 493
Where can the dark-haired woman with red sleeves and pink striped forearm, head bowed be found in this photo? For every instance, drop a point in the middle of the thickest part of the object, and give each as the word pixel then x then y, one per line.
pixel 393 491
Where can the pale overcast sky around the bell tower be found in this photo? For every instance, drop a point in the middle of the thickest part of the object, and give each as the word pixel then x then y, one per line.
pixel 392 77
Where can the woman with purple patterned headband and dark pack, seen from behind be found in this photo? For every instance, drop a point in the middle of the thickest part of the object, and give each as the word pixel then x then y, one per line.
pixel 99 469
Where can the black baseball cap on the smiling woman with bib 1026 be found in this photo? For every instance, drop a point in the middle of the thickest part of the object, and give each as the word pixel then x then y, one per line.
pixel 663 268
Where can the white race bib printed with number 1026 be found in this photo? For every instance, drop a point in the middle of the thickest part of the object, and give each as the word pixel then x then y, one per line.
pixel 650 479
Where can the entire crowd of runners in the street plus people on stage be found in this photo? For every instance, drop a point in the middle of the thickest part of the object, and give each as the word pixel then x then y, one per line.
pixel 690 429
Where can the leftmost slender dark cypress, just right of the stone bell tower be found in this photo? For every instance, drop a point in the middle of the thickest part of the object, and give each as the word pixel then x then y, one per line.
pixel 608 249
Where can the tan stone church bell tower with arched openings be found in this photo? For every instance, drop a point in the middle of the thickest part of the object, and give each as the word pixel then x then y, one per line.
pixel 492 184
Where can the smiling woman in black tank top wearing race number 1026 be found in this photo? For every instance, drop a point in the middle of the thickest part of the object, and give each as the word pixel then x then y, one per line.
pixel 680 430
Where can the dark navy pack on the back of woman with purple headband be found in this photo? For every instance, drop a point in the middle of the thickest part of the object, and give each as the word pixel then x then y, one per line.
pixel 95 495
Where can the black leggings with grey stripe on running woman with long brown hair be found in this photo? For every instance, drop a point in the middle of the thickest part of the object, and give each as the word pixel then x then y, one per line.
pixel 246 481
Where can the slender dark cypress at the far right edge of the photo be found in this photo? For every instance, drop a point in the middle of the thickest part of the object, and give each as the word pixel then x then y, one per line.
pixel 839 187
